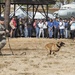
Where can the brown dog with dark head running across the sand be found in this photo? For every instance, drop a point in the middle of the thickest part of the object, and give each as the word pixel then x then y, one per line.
pixel 54 47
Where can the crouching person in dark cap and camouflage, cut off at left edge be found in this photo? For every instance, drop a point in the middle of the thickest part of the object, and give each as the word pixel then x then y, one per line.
pixel 2 34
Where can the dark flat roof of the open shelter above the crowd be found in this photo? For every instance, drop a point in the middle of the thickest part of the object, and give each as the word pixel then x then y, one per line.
pixel 30 2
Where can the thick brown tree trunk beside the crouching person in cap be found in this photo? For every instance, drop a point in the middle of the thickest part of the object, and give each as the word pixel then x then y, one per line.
pixel 7 12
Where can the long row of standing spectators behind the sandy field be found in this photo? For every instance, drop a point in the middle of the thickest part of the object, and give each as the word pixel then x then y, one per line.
pixel 50 28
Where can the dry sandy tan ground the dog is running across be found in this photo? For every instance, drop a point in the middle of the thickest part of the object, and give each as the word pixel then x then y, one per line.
pixel 30 58
